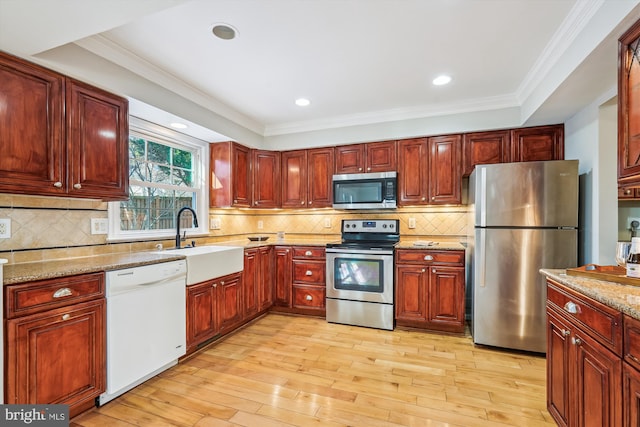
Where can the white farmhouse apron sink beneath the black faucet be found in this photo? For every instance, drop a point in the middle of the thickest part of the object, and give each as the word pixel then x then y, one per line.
pixel 209 262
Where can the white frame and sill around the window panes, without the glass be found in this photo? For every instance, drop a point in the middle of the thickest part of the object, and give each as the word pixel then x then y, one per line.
pixel 157 133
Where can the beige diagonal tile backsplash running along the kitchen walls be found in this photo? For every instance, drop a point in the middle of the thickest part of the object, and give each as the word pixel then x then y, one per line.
pixel 50 228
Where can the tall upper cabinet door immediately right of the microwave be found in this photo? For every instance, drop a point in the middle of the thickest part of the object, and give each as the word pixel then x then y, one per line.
pixel 413 172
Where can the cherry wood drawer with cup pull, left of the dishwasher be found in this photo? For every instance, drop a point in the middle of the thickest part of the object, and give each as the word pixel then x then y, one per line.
pixel 42 295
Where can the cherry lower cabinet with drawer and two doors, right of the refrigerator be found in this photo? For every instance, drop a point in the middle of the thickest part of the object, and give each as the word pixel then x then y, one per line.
pixel 584 364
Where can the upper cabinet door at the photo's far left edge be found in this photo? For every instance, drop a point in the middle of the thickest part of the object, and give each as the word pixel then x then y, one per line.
pixel 31 129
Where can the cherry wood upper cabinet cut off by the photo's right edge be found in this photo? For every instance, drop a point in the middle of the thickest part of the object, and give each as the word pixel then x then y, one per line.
pixel 629 107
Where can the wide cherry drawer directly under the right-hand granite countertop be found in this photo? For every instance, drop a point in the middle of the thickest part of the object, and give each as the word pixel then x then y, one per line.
pixel 603 323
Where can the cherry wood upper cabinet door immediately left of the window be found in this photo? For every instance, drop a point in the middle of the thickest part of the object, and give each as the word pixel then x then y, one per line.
pixel 97 143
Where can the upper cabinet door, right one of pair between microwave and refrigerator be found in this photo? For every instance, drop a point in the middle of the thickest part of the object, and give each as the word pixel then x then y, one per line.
pixel 444 169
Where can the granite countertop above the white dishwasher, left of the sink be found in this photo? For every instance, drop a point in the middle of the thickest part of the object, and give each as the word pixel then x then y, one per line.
pixel 30 271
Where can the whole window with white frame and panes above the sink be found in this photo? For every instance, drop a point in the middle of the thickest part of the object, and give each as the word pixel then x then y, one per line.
pixel 165 174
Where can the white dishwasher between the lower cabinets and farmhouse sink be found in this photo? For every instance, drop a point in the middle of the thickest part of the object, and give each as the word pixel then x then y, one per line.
pixel 146 323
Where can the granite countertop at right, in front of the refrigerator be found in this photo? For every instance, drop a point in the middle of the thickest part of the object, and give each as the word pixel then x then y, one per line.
pixel 625 298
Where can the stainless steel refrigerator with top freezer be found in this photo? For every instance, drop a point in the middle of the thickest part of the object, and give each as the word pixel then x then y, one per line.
pixel 524 217
